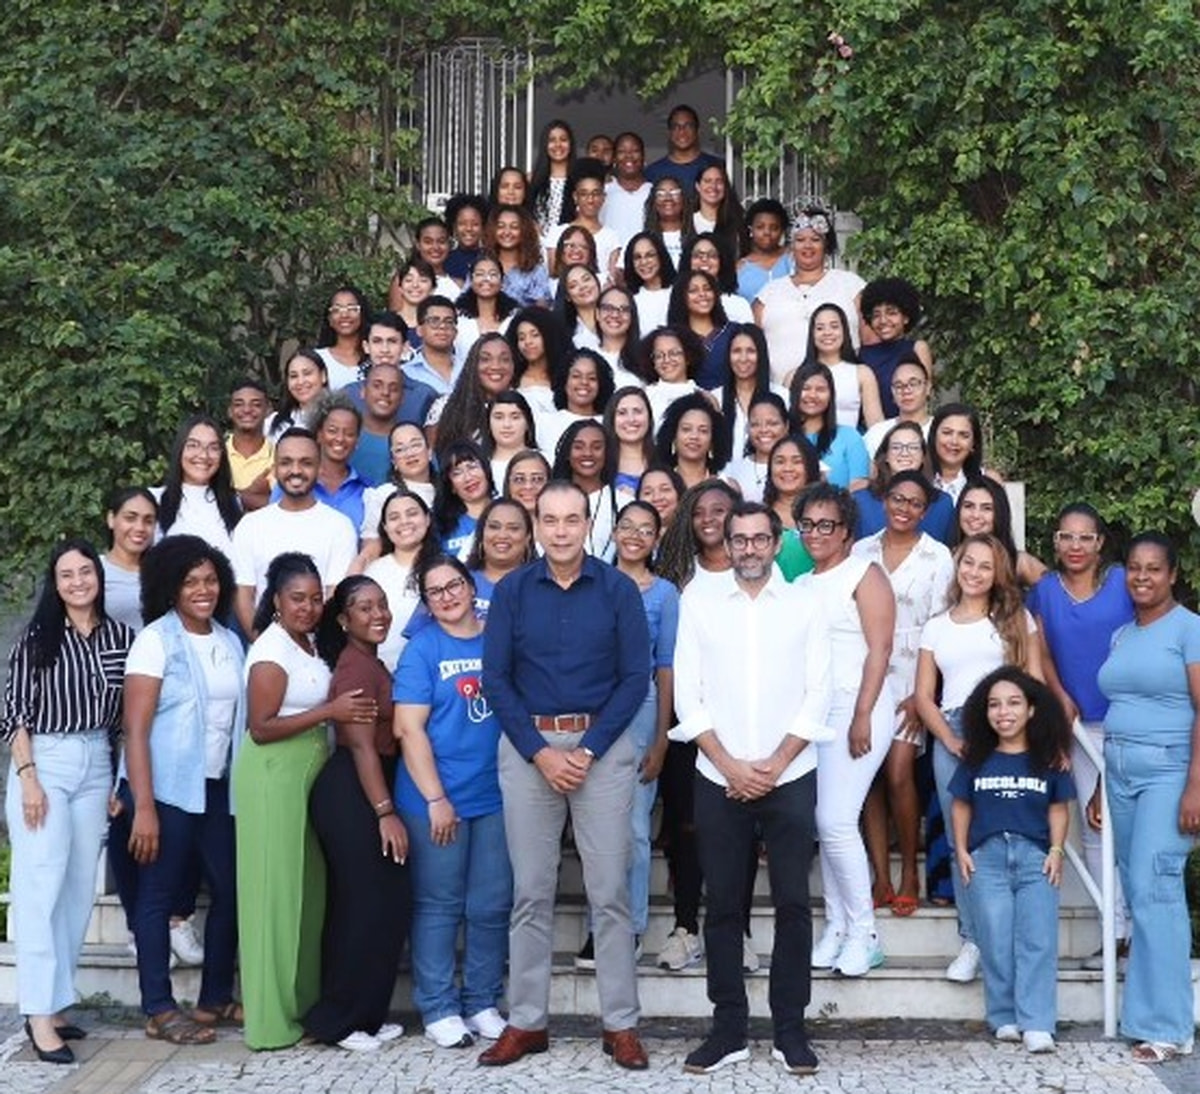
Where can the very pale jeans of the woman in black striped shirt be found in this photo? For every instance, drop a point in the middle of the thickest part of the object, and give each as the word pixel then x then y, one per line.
pixel 55 867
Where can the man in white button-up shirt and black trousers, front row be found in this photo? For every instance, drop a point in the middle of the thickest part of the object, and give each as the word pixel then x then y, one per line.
pixel 752 688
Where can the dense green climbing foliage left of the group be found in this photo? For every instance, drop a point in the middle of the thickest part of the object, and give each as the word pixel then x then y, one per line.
pixel 181 187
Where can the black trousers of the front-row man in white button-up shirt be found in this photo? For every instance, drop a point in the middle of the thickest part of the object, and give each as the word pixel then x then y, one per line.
pixel 725 829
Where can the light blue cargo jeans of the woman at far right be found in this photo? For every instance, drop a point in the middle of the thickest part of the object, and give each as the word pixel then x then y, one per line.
pixel 1145 784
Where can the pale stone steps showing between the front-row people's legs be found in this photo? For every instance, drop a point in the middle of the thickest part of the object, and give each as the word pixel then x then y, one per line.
pixel 910 985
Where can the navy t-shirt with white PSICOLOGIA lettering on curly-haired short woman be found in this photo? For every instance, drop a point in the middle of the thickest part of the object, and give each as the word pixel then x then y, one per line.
pixel 1006 795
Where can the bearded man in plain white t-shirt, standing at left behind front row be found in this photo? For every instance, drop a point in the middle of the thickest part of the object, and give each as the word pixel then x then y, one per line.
pixel 297 522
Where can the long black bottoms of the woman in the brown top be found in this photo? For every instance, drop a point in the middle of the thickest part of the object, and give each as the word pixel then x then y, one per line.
pixel 369 906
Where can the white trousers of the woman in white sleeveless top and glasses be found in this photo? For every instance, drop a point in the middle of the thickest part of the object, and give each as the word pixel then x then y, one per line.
pixel 843 784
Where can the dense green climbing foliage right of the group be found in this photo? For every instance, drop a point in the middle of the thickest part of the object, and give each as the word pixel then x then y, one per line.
pixel 1034 169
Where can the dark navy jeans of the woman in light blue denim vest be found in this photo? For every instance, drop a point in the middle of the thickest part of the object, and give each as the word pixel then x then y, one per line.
pixel 184 839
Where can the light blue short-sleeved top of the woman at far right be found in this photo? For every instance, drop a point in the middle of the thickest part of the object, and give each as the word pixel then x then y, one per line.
pixel 1147 681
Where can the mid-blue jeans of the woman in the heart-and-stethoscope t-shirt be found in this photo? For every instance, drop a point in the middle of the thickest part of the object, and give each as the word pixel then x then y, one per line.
pixel 467 882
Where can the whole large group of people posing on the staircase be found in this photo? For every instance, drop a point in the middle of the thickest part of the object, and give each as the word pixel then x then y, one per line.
pixel 621 500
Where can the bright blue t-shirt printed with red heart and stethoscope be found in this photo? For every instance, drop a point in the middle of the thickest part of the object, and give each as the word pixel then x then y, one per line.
pixel 445 674
